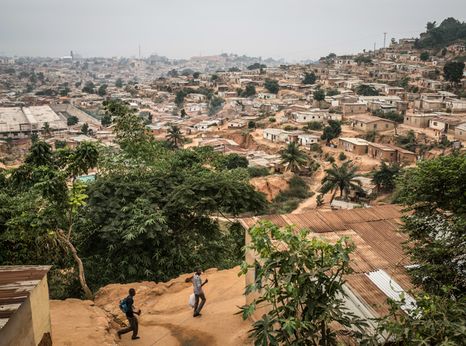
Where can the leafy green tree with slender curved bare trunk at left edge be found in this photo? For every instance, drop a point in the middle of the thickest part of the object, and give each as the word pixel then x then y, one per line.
pixel 45 206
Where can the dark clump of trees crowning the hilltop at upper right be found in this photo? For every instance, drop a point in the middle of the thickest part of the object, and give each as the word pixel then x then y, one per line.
pixel 449 31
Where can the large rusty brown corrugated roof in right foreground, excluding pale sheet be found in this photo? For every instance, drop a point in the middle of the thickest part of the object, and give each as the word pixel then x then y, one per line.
pixel 374 231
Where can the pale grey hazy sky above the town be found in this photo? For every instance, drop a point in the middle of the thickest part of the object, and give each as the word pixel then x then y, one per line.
pixel 292 29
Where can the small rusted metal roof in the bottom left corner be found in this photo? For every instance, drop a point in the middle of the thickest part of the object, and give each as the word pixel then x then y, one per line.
pixel 16 283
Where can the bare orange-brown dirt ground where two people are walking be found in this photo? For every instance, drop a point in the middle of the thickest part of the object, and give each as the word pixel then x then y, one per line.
pixel 166 318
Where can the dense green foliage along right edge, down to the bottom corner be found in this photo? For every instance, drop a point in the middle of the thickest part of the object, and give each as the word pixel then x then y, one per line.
pixel 434 193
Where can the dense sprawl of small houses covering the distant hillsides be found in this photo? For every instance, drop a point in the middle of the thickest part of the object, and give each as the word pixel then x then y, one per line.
pixel 59 96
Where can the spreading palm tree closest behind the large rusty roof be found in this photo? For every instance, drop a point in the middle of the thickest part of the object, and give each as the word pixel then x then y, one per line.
pixel 341 178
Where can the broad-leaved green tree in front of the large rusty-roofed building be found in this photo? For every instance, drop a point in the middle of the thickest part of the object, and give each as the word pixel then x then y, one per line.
pixel 305 309
